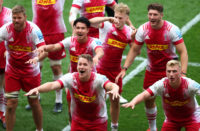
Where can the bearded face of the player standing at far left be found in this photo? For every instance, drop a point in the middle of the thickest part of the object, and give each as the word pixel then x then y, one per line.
pixel 19 21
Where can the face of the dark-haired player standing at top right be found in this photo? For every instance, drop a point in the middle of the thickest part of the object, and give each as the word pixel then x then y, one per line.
pixel 155 18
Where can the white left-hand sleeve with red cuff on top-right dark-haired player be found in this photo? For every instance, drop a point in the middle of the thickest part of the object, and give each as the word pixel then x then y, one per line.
pixel 139 37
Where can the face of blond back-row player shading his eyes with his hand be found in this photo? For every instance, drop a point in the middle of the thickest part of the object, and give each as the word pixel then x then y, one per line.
pixel 122 18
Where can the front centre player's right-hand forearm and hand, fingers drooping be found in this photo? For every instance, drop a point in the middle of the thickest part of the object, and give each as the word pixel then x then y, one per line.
pixel 113 89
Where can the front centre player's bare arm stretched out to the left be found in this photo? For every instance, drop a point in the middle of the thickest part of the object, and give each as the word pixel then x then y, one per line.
pixel 49 86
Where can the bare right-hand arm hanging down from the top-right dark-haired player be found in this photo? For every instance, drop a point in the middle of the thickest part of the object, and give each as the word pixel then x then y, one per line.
pixel 181 49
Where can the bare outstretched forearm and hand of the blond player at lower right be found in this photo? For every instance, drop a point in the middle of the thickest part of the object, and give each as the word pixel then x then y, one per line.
pixel 136 100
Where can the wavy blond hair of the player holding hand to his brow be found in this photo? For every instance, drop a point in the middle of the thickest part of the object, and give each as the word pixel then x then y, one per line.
pixel 122 8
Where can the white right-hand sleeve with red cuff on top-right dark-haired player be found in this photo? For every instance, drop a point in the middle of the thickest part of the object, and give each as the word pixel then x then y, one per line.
pixel 176 36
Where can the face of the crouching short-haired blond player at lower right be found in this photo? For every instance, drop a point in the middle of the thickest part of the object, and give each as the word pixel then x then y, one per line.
pixel 173 74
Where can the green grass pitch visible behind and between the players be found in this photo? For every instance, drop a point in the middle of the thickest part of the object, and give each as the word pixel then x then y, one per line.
pixel 178 12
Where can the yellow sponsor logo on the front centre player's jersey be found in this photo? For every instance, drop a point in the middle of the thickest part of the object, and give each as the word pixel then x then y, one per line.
pixel 85 99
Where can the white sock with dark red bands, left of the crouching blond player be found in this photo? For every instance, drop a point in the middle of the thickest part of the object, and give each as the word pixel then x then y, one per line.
pixel 151 116
